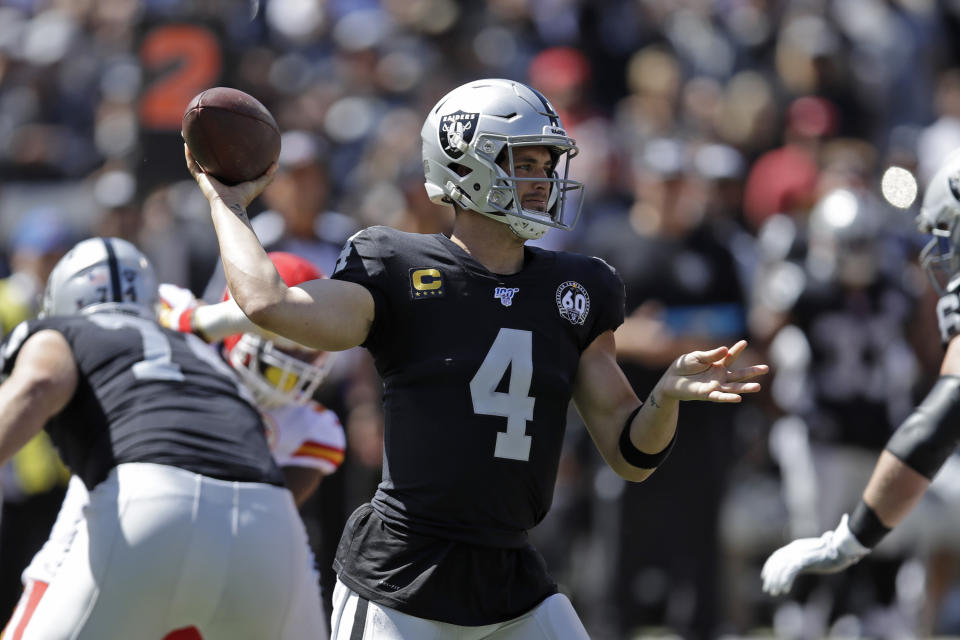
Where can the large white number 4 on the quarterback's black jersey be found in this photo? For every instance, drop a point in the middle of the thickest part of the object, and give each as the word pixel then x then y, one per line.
pixel 513 349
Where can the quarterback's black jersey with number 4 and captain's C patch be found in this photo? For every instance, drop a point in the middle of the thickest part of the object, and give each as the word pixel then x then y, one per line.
pixel 478 372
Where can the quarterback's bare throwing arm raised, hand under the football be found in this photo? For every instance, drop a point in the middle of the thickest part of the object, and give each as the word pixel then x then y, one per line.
pixel 324 314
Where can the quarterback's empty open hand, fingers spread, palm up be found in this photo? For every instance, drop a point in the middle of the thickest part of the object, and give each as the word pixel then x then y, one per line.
pixel 707 375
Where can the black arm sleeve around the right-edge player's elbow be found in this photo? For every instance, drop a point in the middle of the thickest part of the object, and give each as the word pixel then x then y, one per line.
pixel 931 433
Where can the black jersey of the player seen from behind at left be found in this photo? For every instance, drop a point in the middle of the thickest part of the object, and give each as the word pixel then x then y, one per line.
pixel 148 394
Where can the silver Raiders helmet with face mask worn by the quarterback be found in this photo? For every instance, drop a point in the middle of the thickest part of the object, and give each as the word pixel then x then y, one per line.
pixel 480 123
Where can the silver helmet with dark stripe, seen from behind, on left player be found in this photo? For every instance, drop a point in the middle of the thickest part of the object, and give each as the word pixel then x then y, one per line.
pixel 101 274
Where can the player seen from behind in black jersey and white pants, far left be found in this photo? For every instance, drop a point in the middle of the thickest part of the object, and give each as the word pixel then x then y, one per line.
pixel 185 500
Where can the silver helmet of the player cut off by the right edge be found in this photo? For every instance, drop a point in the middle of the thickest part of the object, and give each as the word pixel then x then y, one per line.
pixel 940 216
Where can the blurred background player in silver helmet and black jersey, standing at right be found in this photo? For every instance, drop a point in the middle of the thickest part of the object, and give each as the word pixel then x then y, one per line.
pixel 844 379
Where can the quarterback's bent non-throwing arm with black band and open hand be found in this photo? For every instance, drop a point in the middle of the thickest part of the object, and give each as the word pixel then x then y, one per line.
pixel 635 438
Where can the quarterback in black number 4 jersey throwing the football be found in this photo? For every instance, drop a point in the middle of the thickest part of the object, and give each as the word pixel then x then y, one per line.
pixel 481 343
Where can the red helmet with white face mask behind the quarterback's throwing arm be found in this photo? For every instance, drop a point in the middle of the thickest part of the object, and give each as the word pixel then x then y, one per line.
pixel 278 371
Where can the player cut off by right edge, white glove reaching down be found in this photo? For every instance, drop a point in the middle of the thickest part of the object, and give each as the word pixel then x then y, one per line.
pixel 924 440
